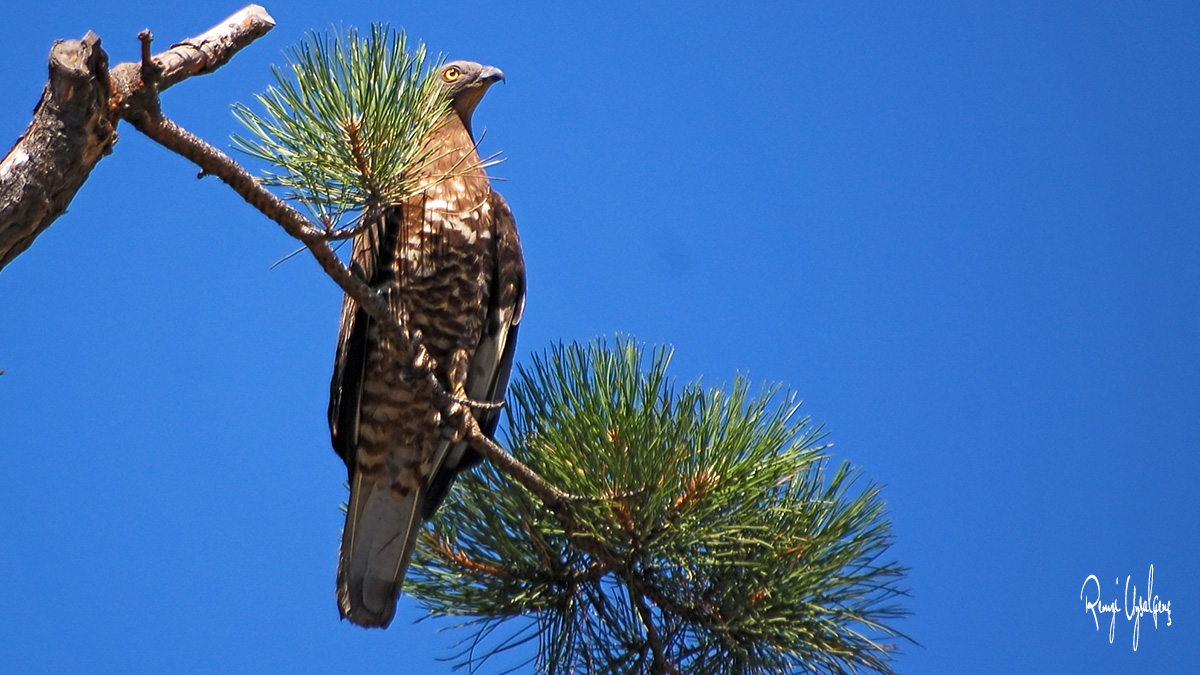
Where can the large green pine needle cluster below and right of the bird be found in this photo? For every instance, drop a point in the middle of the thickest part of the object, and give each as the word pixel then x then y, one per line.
pixel 748 553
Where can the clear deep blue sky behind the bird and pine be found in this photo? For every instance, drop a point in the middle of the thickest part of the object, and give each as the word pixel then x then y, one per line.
pixel 968 235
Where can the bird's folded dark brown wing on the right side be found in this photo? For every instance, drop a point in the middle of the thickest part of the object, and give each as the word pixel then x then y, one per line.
pixel 493 363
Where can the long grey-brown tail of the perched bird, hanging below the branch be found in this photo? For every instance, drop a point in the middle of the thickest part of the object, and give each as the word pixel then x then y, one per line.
pixel 377 545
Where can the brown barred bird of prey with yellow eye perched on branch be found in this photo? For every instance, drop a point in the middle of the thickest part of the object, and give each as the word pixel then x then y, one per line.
pixel 448 259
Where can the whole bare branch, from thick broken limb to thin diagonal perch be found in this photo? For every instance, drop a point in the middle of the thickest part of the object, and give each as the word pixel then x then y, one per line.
pixel 75 127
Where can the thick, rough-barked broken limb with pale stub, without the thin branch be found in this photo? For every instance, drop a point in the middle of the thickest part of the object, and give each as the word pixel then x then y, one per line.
pixel 75 124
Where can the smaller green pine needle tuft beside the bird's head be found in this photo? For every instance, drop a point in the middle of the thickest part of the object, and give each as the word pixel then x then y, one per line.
pixel 343 129
